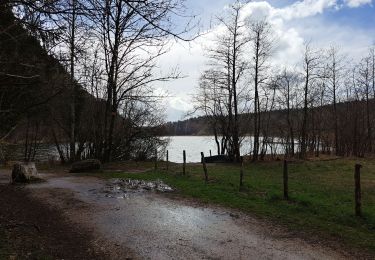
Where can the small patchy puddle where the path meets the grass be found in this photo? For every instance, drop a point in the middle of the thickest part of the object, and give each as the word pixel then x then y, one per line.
pixel 122 188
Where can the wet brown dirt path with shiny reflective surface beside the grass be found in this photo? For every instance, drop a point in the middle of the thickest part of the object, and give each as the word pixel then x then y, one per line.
pixel 153 226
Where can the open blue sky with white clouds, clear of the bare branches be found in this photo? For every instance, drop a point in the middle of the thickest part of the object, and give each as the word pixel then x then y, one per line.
pixel 348 24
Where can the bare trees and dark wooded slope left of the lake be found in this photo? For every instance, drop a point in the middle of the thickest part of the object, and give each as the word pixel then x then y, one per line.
pixel 80 74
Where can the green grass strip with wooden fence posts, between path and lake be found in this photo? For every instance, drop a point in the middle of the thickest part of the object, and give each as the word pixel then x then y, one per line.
pixel 321 195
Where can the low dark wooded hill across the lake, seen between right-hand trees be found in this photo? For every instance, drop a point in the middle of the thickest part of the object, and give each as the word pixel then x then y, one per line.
pixel 278 128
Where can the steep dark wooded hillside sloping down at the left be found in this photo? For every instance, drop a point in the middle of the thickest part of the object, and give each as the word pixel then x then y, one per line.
pixel 35 88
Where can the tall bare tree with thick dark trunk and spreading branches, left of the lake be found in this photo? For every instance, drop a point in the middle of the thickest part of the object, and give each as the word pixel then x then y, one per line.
pixel 130 47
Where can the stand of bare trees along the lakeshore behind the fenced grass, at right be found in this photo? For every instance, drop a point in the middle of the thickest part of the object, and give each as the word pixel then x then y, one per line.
pixel 322 104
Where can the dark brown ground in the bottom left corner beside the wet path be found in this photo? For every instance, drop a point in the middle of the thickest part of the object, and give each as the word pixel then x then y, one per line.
pixel 31 228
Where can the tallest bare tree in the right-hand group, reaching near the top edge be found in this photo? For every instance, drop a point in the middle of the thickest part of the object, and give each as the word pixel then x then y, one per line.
pixel 227 60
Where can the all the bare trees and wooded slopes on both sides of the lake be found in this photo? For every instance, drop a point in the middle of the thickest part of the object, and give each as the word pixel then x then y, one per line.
pixel 80 74
